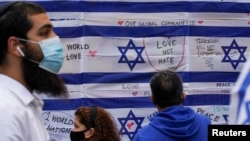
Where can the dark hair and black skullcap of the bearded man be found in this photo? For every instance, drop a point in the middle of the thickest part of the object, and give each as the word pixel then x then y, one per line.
pixel 14 21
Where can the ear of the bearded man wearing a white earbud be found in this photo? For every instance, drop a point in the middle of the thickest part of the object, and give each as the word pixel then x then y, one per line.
pixel 12 44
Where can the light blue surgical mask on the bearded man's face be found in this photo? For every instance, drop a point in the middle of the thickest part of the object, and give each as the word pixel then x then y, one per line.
pixel 52 54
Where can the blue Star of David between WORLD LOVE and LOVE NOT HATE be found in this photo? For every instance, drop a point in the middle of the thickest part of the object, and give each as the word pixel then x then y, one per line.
pixel 124 59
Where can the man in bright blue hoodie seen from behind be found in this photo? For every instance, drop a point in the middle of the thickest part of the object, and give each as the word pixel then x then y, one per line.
pixel 173 122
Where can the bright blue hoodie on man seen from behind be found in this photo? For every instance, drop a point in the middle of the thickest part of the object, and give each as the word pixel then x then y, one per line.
pixel 177 123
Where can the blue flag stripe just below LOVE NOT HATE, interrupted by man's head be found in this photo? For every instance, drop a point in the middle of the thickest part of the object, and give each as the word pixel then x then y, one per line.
pixel 84 78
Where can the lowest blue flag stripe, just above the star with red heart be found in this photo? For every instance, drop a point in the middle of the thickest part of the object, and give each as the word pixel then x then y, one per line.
pixel 132 102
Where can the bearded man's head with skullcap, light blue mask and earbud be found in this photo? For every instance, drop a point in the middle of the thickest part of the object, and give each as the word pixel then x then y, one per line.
pixel 30 45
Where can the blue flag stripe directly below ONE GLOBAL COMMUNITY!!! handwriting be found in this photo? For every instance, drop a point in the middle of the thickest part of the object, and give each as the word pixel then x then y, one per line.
pixel 119 31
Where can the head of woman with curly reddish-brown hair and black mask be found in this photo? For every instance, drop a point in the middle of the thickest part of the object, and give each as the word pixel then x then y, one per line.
pixel 94 124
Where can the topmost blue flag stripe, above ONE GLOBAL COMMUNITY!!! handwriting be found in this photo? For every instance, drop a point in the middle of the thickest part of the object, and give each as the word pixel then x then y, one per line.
pixel 144 7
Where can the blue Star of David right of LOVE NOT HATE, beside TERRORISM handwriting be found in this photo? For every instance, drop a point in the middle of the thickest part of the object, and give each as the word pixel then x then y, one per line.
pixel 241 51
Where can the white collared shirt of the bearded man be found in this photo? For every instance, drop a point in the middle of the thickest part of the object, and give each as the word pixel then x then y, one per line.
pixel 20 113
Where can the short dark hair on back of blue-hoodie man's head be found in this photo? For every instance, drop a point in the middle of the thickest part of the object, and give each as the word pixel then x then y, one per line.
pixel 167 88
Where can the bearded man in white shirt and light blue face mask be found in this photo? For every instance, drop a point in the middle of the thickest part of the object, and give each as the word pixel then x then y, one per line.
pixel 31 55
